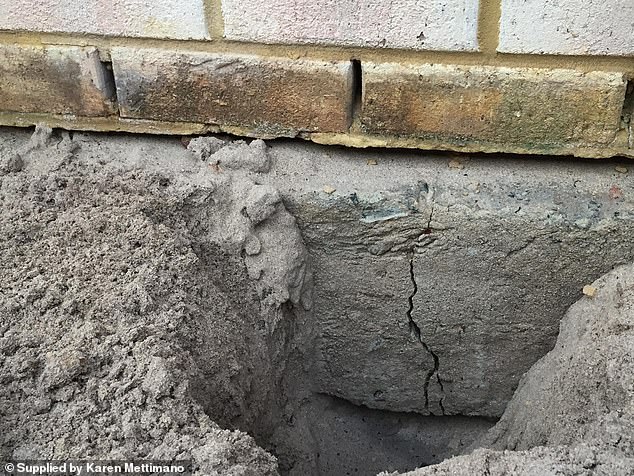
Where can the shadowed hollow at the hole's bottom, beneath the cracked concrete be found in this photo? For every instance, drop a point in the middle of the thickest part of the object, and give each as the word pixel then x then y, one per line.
pixel 330 436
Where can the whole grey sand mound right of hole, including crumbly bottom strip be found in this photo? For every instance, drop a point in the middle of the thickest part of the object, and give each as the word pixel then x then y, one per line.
pixel 573 412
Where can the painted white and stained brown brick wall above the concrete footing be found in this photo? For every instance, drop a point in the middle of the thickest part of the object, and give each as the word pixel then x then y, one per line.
pixel 536 76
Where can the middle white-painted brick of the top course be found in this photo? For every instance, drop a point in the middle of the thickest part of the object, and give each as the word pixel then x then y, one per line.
pixel 449 25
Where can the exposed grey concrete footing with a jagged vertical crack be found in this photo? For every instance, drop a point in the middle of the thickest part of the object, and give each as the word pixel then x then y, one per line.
pixel 480 258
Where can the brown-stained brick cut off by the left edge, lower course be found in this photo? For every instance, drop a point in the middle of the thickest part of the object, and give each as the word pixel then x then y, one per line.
pixel 54 79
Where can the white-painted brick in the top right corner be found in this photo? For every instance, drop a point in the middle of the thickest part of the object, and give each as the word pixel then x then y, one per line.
pixel 574 27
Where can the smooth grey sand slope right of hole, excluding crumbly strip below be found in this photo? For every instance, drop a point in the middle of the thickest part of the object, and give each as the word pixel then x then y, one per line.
pixel 583 390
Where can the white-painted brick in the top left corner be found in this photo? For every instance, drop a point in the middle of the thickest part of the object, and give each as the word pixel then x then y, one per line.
pixel 177 19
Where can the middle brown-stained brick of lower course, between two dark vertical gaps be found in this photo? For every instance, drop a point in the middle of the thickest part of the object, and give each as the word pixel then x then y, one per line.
pixel 268 96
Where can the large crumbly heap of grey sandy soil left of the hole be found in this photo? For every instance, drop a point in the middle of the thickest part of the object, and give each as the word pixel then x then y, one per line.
pixel 141 303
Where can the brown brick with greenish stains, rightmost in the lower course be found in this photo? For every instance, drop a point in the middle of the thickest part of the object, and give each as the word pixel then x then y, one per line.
pixel 524 107
